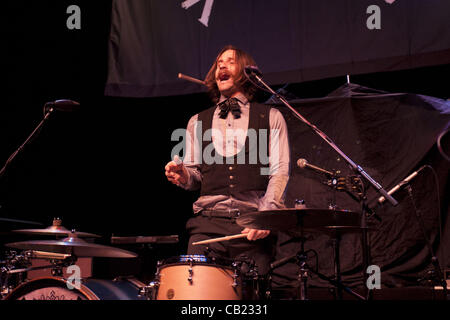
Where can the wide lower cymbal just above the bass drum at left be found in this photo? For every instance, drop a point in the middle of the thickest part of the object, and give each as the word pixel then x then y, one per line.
pixel 74 246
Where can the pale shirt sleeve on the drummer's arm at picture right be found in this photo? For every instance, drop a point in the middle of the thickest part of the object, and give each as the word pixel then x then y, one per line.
pixel 279 163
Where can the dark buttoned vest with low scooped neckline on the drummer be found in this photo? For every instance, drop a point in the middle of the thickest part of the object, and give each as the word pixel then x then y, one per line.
pixel 242 172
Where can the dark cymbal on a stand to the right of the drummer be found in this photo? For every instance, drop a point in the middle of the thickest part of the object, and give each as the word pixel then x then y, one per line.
pixel 293 219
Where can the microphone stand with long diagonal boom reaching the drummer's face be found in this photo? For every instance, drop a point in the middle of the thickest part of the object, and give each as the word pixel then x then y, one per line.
pixel 355 167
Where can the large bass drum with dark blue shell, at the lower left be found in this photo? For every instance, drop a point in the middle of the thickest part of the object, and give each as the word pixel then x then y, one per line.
pixel 54 288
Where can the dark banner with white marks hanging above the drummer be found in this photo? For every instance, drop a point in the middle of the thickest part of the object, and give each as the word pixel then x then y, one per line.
pixel 291 40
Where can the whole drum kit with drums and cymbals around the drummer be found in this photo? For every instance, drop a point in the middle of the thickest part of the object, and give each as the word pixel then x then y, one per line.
pixel 185 277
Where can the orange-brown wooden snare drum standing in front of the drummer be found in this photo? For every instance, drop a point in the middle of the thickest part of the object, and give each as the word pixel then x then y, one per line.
pixel 195 277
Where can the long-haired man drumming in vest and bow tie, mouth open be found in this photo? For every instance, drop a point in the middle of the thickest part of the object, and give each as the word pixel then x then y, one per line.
pixel 231 179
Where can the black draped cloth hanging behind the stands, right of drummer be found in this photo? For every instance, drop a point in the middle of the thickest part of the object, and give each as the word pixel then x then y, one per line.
pixel 390 136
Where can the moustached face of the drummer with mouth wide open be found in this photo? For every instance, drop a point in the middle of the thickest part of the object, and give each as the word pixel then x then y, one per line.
pixel 226 73
